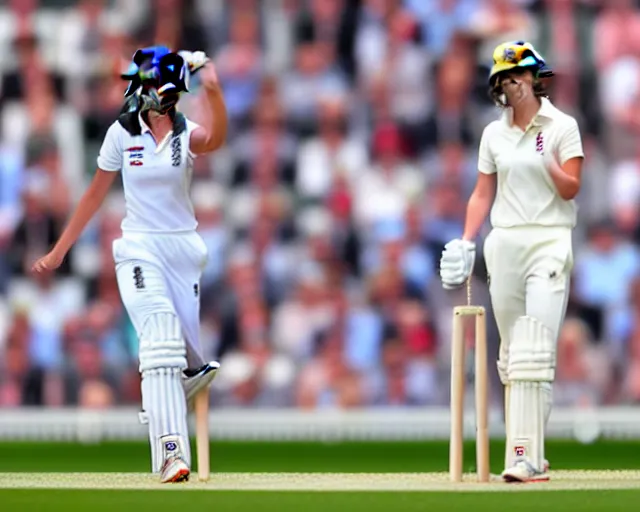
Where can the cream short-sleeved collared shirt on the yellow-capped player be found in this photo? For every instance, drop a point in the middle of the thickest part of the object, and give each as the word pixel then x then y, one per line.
pixel 526 194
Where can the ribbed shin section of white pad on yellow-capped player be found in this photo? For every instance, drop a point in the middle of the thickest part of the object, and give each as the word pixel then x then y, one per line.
pixel 525 423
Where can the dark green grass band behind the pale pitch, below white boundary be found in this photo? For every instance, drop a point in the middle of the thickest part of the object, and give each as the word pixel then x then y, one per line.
pixel 305 457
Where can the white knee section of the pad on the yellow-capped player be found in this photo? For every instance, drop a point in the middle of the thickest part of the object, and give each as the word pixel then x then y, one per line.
pixel 532 351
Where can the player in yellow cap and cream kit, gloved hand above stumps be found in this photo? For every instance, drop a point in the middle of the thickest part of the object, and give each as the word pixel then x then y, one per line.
pixel 529 165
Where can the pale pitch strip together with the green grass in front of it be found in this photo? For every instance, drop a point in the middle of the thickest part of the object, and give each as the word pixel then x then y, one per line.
pixel 588 491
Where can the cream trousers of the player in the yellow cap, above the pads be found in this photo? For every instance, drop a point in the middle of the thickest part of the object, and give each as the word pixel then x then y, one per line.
pixel 529 274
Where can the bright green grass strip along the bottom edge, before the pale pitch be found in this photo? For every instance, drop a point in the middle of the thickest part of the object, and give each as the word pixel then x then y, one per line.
pixel 223 501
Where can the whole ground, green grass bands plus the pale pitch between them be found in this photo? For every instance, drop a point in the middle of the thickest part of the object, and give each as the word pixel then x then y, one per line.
pixel 363 476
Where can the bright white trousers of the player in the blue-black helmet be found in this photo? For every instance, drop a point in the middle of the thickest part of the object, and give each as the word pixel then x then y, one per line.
pixel 165 268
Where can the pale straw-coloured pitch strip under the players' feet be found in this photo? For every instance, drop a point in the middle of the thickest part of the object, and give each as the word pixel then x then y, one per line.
pixel 560 480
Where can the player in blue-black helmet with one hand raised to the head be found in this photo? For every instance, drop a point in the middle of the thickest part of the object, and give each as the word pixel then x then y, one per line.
pixel 159 257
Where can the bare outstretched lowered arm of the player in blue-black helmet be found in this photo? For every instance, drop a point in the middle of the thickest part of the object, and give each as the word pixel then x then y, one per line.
pixel 86 209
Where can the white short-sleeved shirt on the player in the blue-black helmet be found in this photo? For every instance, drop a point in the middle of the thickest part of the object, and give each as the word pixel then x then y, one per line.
pixel 156 176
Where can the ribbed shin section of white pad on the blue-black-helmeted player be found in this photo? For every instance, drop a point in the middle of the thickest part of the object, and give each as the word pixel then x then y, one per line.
pixel 165 410
